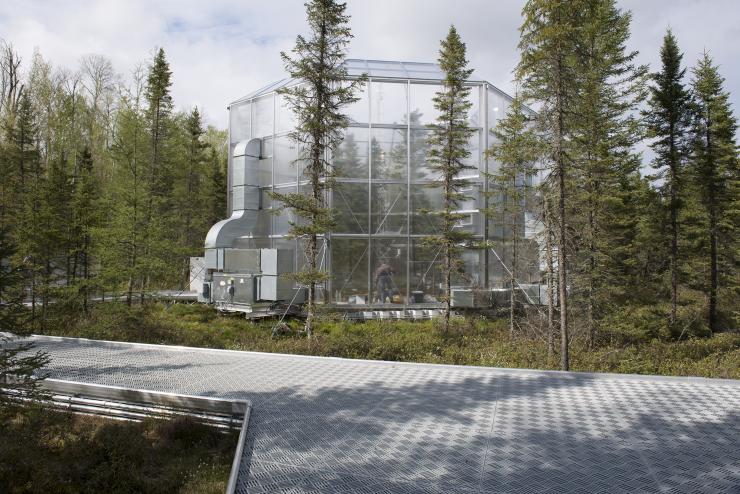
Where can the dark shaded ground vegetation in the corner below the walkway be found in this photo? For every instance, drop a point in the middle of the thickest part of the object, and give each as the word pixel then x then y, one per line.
pixel 45 451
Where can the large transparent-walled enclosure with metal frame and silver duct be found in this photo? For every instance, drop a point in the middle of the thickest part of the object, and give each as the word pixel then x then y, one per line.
pixel 383 188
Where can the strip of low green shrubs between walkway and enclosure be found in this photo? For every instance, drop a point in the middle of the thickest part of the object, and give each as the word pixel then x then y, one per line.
pixel 473 341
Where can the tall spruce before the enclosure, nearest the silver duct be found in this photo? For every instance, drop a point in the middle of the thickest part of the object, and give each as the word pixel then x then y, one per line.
pixel 318 61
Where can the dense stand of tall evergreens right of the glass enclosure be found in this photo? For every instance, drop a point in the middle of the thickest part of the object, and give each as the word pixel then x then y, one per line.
pixel 635 249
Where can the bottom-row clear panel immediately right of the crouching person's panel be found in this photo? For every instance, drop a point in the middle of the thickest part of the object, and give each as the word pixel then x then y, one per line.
pixel 425 284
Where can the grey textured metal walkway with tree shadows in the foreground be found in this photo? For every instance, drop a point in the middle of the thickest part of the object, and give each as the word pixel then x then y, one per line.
pixel 335 425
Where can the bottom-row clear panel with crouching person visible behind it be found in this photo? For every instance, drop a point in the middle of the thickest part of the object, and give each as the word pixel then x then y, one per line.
pixel 388 268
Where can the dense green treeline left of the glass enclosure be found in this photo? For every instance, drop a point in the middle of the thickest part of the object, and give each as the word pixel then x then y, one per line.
pixel 106 188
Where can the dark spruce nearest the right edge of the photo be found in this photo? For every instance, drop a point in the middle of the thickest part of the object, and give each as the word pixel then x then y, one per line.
pixel 714 165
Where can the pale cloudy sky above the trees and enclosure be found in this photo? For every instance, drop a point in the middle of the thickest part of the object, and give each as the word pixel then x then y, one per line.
pixel 220 50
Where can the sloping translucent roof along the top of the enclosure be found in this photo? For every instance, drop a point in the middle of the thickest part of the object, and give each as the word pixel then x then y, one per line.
pixel 373 68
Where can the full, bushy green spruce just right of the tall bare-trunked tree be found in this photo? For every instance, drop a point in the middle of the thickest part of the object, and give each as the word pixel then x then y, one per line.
pixel 605 131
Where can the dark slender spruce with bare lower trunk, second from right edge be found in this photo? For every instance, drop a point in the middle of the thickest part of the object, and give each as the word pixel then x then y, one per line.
pixel 668 120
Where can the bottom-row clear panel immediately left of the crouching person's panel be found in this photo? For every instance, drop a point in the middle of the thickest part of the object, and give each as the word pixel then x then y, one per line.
pixel 349 258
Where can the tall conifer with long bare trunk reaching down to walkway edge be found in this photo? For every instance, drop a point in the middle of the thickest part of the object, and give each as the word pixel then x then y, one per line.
pixel 549 74
